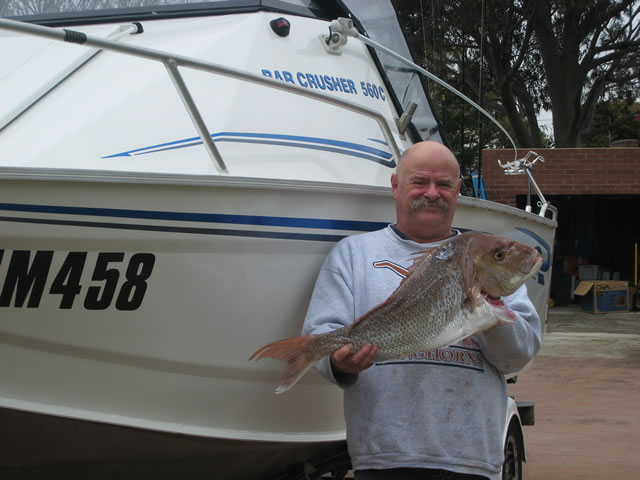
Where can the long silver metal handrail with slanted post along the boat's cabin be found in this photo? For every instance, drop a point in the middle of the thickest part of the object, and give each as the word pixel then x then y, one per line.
pixel 172 61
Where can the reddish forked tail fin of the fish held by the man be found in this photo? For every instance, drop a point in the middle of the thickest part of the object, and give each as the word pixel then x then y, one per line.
pixel 293 351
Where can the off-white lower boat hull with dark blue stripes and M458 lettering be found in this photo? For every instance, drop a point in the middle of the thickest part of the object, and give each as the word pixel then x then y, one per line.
pixel 208 276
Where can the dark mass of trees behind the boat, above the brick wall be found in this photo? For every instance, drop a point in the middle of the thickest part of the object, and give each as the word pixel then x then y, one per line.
pixel 558 55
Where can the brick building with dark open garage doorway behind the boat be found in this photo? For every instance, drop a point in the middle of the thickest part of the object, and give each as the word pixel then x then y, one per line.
pixel 597 193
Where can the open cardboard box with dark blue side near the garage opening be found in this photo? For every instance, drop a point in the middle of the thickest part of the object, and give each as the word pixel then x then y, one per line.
pixel 604 296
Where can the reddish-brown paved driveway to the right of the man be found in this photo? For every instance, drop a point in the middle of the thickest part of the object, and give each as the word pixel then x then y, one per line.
pixel 586 387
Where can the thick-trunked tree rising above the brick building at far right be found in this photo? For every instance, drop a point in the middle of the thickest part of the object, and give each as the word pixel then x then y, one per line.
pixel 588 49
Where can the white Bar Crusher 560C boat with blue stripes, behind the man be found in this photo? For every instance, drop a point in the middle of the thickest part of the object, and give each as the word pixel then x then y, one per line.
pixel 171 177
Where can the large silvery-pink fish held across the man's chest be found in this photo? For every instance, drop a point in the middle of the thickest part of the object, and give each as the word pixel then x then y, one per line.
pixel 451 291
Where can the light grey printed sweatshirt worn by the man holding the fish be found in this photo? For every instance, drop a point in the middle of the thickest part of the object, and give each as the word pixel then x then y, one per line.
pixel 442 409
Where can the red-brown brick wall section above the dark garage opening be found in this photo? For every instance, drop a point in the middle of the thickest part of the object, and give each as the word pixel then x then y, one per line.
pixel 565 171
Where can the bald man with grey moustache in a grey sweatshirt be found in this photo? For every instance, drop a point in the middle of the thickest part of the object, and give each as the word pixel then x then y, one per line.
pixel 435 414
